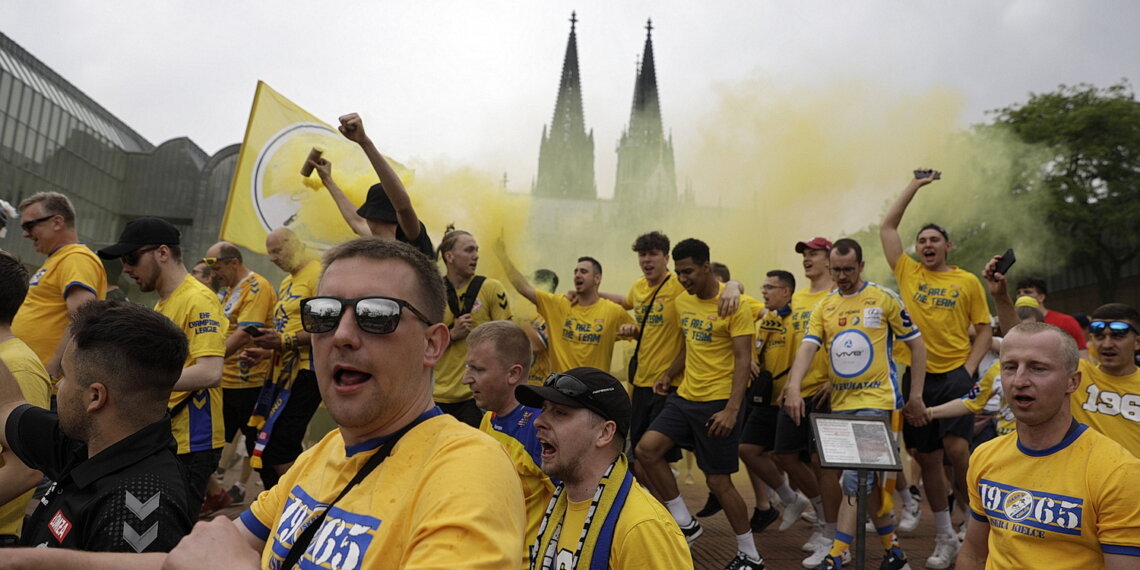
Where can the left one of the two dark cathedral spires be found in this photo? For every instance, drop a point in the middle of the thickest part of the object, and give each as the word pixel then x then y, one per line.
pixel 566 159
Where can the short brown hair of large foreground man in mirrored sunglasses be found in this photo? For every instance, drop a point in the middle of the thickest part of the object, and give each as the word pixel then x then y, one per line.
pixel 431 284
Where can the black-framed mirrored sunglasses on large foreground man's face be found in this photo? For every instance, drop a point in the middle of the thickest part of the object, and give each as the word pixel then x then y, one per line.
pixel 377 315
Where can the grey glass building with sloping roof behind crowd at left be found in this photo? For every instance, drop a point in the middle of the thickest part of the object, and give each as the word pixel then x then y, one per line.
pixel 54 137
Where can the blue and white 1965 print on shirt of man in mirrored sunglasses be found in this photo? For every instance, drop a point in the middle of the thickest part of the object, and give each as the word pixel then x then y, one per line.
pixel 341 542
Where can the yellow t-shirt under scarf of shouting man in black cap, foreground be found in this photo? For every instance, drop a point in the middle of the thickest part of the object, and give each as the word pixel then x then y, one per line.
pixel 645 538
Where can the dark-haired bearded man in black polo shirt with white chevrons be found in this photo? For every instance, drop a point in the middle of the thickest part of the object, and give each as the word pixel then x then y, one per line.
pixel 119 487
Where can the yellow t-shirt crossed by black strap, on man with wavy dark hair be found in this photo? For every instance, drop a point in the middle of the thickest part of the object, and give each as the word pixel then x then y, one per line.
pixel 662 332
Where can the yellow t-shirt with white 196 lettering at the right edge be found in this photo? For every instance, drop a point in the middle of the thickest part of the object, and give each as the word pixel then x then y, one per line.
pixel 1110 405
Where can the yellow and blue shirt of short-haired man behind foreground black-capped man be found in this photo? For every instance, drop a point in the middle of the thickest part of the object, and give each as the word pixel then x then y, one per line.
pixel 517 434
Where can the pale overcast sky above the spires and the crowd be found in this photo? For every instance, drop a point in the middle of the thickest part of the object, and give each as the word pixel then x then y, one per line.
pixel 473 84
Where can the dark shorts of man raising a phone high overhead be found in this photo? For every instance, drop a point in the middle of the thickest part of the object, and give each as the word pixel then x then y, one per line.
pixel 940 389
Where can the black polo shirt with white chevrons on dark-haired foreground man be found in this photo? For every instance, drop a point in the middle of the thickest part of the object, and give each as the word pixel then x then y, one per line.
pixel 131 498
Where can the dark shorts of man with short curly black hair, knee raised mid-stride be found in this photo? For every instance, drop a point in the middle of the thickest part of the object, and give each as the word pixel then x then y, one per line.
pixel 687 425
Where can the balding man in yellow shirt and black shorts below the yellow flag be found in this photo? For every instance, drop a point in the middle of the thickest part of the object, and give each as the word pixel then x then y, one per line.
pixel 291 397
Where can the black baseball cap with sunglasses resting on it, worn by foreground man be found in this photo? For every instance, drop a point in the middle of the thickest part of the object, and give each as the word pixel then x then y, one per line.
pixel 583 388
